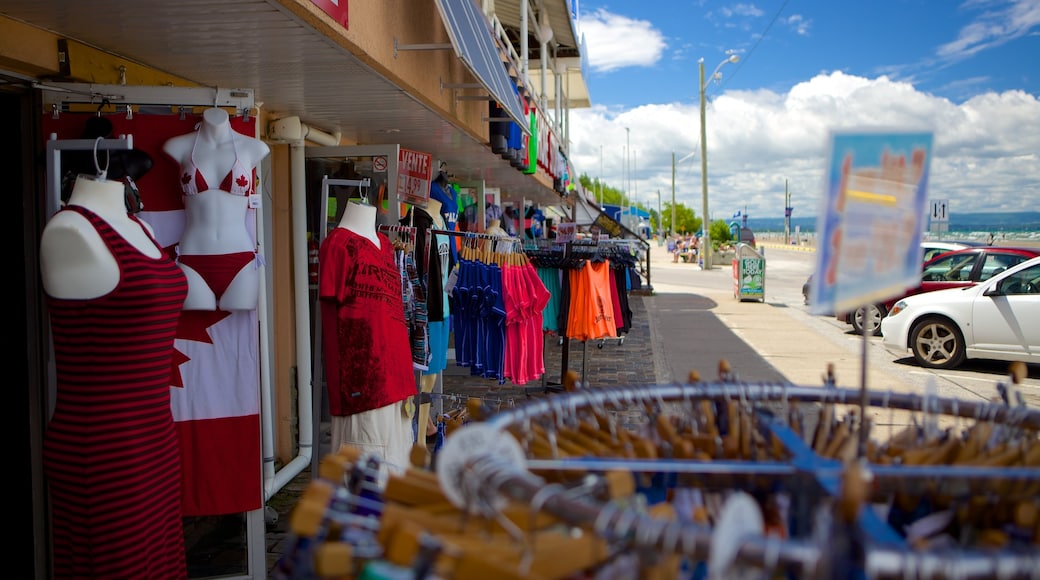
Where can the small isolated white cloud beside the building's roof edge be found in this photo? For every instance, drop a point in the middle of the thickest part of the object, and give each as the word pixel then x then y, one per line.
pixel 616 42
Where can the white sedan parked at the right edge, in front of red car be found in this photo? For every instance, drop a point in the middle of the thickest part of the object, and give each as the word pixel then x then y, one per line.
pixel 998 320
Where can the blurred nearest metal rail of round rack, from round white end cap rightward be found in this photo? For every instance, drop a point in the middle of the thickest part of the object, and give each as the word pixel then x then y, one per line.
pixel 487 477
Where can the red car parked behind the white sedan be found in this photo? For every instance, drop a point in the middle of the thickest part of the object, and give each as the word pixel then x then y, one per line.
pixel 961 268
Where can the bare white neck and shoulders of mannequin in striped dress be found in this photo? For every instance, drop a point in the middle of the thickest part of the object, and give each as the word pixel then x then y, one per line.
pixel 75 262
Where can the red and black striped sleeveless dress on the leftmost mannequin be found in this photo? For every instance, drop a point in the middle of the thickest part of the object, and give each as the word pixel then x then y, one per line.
pixel 111 452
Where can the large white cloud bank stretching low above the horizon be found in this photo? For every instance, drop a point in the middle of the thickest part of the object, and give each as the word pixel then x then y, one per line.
pixel 986 153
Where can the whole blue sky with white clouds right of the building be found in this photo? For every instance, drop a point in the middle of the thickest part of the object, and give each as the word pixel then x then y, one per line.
pixel 968 71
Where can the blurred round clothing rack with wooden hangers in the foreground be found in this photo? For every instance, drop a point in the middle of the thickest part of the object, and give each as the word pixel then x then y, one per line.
pixel 493 460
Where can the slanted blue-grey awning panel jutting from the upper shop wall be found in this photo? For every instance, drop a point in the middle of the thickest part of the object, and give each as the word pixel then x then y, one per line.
pixel 476 46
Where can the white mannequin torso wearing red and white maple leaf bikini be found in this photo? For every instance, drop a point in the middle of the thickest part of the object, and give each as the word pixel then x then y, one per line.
pixel 218 250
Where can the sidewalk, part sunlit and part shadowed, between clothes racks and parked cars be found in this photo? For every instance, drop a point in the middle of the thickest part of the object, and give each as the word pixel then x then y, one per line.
pixel 779 331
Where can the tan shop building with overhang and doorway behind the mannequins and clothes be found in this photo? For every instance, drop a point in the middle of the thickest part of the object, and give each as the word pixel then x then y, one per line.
pixel 340 90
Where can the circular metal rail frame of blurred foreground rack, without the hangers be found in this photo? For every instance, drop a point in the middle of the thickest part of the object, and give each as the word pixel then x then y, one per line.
pixel 481 460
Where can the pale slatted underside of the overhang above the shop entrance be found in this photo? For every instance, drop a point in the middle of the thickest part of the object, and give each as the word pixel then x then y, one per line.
pixel 292 68
